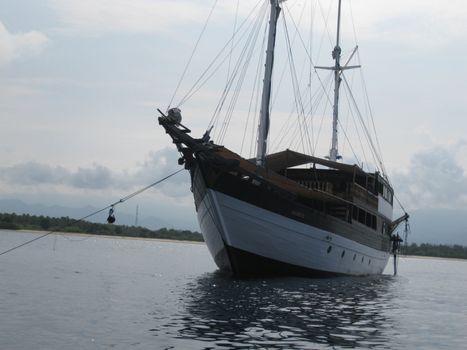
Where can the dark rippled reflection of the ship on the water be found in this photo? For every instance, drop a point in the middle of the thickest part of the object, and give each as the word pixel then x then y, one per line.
pixel 291 313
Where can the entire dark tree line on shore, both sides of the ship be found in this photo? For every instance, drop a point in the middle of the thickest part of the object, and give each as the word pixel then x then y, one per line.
pixel 66 224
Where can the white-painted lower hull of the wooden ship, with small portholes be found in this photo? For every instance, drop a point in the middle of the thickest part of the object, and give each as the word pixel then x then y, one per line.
pixel 227 222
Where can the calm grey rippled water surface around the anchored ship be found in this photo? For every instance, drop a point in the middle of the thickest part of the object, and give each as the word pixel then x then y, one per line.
pixel 78 292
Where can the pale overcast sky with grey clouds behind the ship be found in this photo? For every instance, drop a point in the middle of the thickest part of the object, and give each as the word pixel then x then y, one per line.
pixel 80 82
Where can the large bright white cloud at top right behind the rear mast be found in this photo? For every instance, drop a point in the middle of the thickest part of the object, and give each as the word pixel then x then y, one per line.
pixel 427 24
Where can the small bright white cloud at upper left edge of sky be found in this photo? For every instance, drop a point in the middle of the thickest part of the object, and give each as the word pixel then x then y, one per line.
pixel 16 46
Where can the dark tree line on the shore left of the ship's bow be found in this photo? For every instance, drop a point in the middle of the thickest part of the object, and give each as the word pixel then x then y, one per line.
pixel 66 224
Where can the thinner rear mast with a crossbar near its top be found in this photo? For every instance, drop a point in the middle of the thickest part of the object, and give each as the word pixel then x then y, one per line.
pixel 336 55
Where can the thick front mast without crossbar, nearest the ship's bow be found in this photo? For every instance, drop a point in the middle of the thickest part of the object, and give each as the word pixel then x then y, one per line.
pixel 263 128
